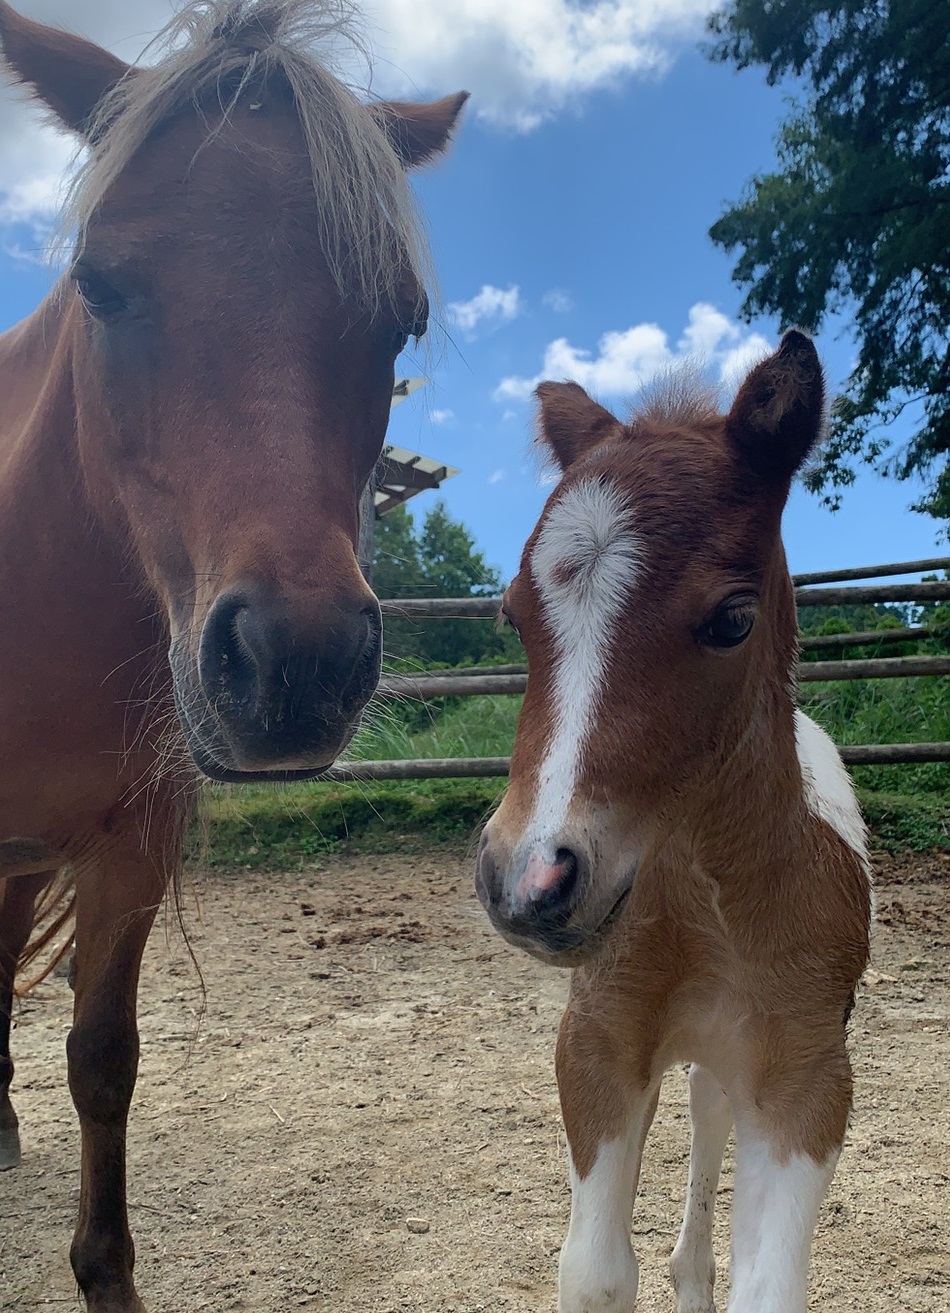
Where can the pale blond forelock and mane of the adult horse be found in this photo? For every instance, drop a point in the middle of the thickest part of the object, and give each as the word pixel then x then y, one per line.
pixel 220 49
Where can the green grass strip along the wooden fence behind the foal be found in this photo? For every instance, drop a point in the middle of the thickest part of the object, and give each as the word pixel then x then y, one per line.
pixel 288 827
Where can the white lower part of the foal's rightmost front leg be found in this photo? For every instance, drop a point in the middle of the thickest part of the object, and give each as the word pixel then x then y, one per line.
pixel 774 1222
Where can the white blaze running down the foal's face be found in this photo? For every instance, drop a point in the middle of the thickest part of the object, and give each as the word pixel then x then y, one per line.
pixel 586 564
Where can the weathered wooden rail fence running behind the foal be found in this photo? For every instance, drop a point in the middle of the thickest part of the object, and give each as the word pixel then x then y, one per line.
pixel 810 592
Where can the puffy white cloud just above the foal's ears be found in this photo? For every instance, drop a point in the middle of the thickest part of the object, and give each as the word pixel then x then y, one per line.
pixel 629 359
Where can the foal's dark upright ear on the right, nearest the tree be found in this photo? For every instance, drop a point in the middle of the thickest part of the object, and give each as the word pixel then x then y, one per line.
pixel 777 416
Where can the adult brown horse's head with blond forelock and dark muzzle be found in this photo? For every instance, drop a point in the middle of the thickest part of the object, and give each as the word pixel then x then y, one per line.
pixel 247 271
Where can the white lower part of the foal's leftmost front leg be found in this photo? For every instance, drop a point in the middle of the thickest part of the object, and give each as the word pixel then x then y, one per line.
pixel 599 1272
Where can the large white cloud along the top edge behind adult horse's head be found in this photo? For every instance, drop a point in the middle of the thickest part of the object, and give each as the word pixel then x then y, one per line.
pixel 524 62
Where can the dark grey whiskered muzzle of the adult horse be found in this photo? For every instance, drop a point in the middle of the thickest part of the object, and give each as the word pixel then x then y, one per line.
pixel 276 695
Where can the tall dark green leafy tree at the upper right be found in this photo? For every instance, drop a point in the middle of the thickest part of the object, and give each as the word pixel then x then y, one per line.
pixel 856 220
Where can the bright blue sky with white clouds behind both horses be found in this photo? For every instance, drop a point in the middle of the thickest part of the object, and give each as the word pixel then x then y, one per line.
pixel 570 232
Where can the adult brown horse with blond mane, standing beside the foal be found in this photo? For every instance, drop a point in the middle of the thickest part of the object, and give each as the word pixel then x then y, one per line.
pixel 186 429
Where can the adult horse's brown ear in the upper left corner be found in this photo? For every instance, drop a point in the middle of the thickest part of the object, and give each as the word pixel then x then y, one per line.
pixel 69 74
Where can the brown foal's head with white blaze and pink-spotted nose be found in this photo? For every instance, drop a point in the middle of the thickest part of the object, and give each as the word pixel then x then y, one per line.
pixel 658 615
